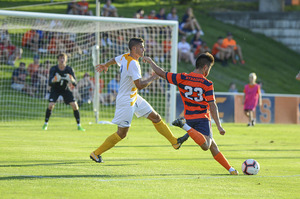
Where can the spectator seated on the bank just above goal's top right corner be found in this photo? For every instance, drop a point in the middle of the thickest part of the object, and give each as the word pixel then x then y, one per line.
pixel 189 22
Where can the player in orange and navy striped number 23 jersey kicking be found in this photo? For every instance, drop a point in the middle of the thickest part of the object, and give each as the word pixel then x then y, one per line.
pixel 197 94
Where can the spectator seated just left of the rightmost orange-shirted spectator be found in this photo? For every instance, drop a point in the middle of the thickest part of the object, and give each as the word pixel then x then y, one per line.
pixel 220 53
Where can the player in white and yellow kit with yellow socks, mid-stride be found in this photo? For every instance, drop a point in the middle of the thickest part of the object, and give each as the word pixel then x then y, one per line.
pixel 128 100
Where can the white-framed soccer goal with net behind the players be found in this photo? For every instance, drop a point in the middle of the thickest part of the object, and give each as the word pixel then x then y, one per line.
pixel 35 39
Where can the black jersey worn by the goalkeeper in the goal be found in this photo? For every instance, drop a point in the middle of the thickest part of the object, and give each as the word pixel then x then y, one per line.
pixel 62 84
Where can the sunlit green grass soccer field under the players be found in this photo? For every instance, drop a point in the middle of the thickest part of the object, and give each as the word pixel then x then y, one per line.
pixel 56 164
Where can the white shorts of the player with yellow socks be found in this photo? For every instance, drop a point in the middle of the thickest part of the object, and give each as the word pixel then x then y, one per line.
pixel 124 114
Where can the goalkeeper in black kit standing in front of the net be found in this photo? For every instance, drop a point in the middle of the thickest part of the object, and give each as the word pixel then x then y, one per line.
pixel 61 75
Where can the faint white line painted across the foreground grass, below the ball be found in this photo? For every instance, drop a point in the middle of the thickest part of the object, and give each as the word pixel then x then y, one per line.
pixel 145 179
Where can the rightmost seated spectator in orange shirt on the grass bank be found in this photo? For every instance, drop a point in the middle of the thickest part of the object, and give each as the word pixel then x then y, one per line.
pixel 230 43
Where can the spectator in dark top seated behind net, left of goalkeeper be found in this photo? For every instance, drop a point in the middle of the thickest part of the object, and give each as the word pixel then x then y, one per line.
pixel 18 80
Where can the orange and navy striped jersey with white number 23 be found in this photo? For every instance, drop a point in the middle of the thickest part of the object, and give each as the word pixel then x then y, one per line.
pixel 195 91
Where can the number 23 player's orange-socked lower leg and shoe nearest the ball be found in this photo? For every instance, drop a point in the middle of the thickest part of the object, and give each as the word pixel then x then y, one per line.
pixel 219 157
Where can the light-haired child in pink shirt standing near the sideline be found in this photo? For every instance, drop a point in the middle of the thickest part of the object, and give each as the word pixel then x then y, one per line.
pixel 252 96
